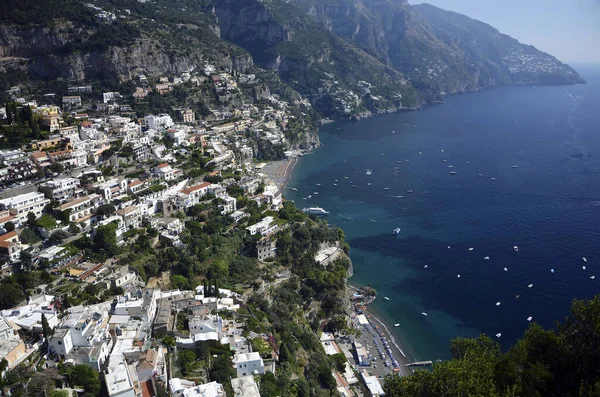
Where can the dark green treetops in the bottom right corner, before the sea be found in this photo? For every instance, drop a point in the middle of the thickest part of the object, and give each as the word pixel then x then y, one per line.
pixel 546 363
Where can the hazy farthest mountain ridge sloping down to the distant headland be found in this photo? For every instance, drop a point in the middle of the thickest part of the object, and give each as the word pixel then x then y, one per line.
pixel 439 51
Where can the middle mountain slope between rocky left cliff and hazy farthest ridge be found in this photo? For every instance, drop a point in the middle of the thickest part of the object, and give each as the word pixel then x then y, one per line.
pixel 335 75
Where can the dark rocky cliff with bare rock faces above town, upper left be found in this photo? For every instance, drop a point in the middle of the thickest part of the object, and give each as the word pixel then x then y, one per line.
pixel 78 40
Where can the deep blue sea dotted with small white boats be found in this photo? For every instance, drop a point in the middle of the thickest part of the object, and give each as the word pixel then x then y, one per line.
pixel 548 206
